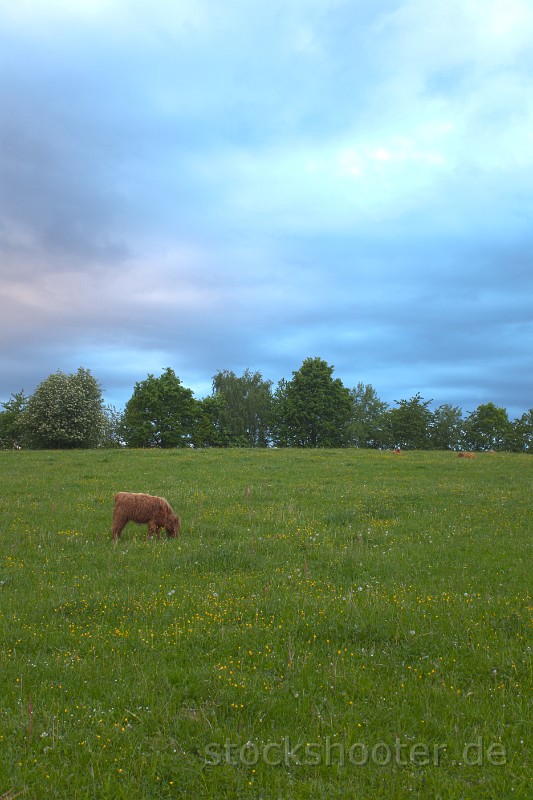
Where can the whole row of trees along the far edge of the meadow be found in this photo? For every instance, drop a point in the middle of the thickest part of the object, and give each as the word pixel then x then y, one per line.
pixel 313 409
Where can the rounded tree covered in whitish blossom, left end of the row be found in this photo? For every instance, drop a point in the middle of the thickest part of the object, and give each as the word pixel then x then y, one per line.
pixel 65 411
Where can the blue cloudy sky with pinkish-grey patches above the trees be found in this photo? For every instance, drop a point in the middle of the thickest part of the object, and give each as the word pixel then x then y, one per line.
pixel 223 184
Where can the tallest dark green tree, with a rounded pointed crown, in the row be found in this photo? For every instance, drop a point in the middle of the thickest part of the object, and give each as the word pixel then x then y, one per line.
pixel 313 409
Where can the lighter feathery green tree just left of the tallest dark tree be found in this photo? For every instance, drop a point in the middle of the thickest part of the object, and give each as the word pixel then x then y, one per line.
pixel 245 410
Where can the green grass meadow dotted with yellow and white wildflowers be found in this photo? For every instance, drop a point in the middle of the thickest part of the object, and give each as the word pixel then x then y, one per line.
pixel 330 624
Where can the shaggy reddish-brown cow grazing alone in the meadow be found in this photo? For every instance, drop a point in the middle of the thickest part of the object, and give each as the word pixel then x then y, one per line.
pixel 144 508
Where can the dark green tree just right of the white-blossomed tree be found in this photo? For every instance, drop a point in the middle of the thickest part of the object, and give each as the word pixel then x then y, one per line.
pixel 160 413
